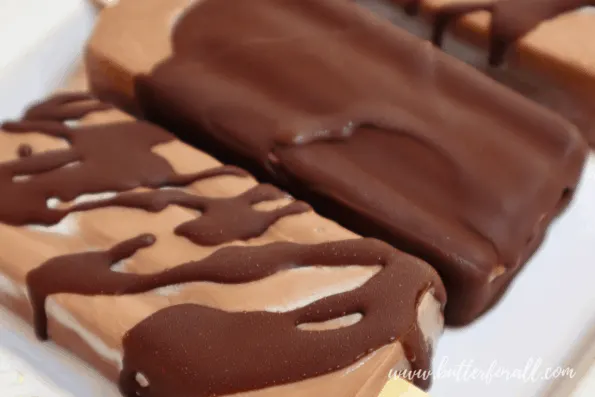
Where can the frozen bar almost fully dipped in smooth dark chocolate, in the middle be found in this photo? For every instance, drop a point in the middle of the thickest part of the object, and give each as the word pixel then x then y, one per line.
pixel 377 129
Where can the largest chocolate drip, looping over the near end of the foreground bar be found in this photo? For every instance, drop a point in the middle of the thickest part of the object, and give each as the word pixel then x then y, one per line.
pixel 218 353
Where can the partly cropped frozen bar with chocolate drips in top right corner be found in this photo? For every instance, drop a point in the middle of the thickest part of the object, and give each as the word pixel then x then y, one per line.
pixel 548 38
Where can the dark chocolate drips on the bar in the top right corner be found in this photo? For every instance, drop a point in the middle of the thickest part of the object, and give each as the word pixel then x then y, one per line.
pixel 511 20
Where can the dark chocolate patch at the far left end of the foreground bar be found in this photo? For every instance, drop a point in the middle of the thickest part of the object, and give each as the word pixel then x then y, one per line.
pixel 102 158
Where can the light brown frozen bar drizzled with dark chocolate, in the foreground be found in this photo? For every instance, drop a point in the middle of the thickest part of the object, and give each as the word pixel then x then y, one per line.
pixel 178 276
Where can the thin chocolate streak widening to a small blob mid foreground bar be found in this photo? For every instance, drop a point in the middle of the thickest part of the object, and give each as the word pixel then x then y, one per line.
pixel 222 219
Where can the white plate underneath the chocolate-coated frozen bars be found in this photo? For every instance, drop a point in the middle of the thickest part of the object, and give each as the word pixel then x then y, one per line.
pixel 548 312
